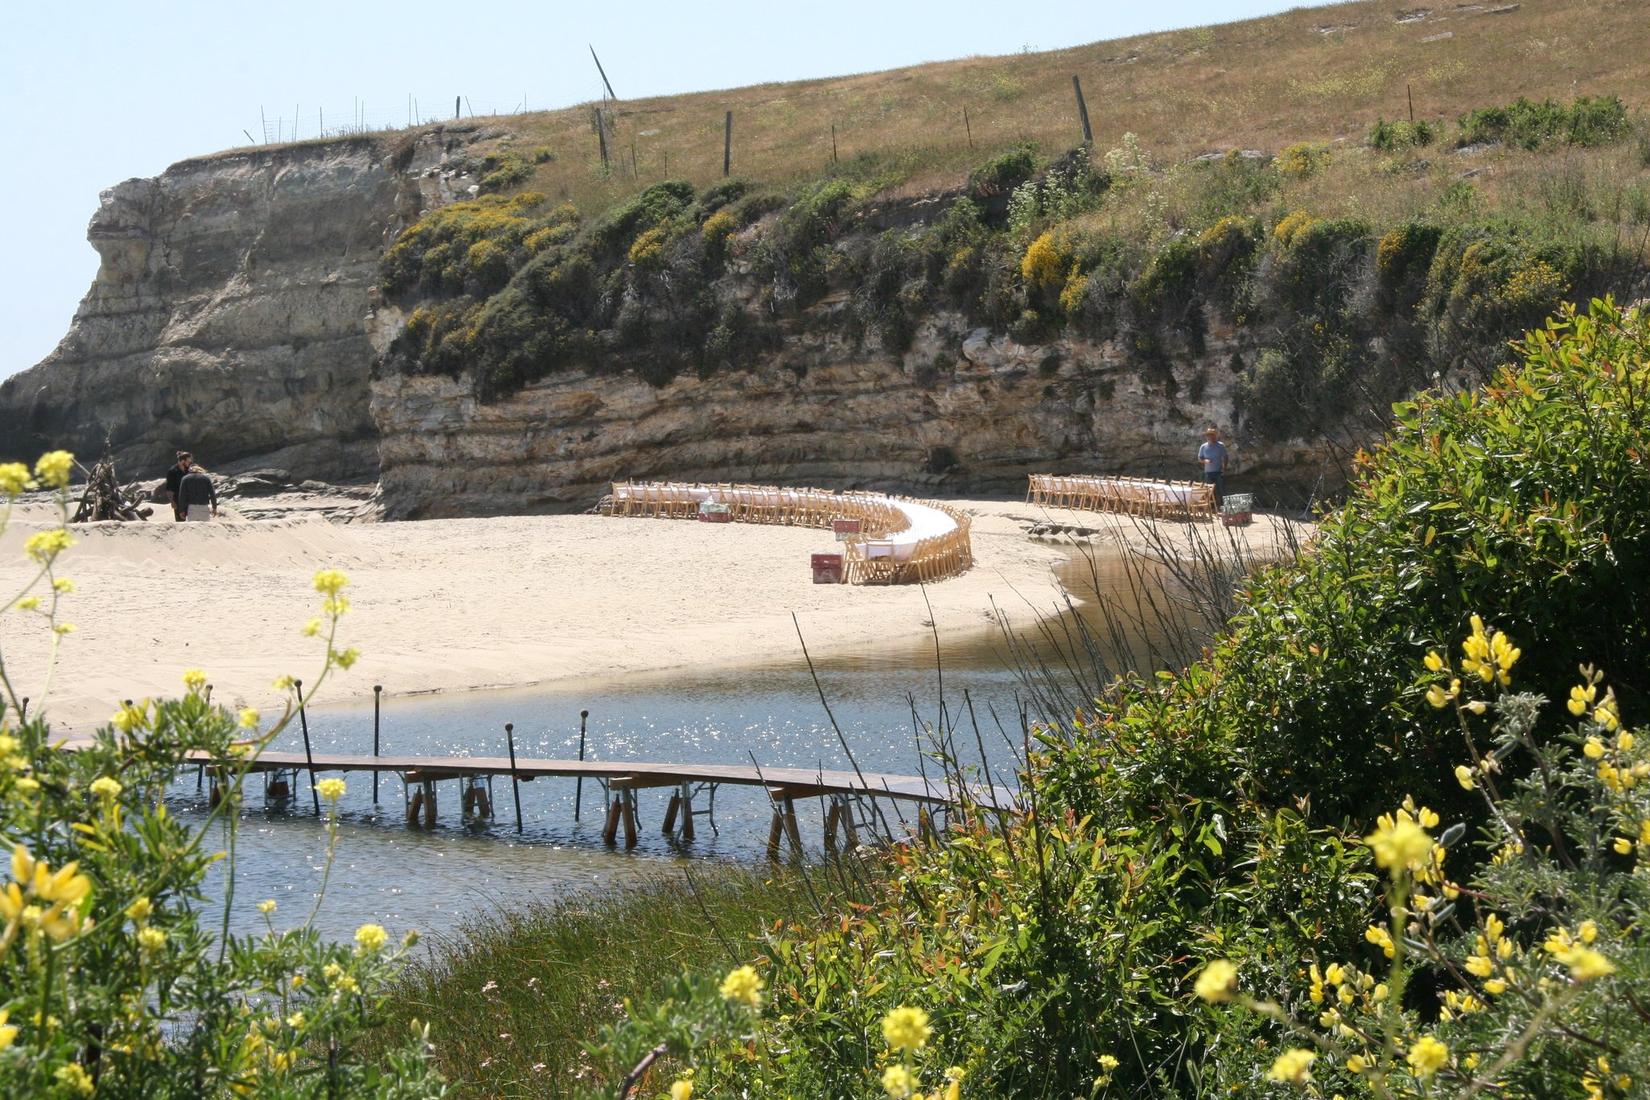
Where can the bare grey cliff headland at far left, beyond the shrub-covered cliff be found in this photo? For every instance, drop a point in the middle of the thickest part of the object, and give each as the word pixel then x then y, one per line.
pixel 227 314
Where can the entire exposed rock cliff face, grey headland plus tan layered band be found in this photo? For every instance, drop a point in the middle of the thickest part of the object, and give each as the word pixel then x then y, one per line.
pixel 235 314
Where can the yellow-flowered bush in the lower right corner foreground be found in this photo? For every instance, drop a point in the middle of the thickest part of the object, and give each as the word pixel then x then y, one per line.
pixel 1534 957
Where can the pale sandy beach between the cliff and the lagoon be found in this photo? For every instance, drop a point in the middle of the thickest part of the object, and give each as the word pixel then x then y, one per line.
pixel 473 604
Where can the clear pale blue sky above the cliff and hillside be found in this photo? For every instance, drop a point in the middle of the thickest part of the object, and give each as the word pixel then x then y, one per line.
pixel 98 92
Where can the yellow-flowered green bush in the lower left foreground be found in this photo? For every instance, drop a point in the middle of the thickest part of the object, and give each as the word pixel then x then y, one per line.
pixel 115 972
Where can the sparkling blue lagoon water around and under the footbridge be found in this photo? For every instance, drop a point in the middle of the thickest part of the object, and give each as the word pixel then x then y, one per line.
pixel 887 707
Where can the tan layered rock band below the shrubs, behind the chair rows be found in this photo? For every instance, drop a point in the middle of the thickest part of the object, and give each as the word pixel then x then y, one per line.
pixel 821 413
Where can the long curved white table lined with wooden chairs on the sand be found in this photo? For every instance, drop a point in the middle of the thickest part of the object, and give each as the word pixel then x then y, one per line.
pixel 872 558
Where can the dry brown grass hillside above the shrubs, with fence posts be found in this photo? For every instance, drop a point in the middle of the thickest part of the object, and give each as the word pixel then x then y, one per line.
pixel 1308 75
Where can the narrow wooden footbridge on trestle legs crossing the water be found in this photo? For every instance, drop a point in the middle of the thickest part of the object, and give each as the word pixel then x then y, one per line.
pixel 694 789
